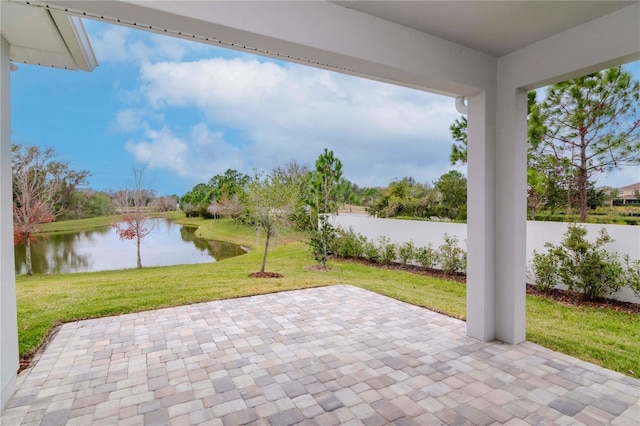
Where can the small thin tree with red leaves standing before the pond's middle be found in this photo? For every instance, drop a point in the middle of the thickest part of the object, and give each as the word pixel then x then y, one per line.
pixel 134 203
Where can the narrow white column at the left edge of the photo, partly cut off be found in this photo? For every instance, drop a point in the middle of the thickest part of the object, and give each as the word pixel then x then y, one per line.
pixel 8 321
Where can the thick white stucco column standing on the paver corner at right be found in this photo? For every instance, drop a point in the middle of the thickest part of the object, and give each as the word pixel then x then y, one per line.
pixel 497 167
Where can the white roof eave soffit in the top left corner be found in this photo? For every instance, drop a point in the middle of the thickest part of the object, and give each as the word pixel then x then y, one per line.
pixel 49 38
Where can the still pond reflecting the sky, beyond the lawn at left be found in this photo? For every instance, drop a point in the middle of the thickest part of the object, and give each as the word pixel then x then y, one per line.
pixel 101 249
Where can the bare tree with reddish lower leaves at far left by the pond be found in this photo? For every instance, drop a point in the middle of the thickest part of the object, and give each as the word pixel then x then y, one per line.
pixel 37 184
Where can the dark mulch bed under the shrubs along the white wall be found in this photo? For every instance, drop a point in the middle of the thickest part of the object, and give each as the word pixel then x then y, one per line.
pixel 561 296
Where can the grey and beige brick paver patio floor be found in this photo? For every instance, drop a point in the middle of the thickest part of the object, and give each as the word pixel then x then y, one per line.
pixel 325 356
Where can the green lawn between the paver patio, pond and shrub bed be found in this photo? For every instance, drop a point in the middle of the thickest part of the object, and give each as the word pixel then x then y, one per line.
pixel 602 336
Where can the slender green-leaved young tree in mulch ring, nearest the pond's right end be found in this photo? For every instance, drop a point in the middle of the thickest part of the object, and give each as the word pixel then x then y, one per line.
pixel 270 201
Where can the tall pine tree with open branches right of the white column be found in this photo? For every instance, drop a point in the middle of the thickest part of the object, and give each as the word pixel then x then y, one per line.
pixel 592 125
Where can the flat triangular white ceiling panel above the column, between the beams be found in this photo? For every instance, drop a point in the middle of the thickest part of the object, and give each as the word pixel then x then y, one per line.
pixel 496 28
